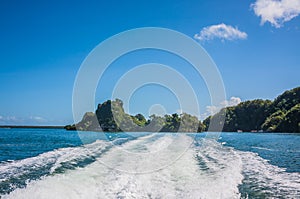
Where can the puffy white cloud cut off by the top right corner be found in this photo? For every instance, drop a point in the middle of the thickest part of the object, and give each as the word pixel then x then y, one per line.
pixel 276 11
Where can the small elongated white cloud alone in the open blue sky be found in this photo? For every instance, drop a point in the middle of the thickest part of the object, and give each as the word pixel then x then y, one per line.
pixel 221 31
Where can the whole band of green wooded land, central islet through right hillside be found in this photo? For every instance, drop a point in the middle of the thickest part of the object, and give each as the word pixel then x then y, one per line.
pixel 280 115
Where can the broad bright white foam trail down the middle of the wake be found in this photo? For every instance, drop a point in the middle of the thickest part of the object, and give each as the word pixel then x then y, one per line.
pixel 182 179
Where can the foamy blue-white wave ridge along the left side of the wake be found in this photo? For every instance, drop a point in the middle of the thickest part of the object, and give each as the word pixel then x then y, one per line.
pixel 17 173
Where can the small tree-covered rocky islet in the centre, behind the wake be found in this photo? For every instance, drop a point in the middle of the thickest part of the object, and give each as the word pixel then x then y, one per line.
pixel 110 117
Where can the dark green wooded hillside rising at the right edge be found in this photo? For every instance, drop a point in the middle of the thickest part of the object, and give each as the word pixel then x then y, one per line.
pixel 281 115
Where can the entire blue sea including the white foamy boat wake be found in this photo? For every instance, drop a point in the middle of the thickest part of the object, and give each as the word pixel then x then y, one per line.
pixel 55 163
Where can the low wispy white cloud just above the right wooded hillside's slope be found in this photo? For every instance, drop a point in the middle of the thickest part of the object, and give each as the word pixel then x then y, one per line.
pixel 211 110
